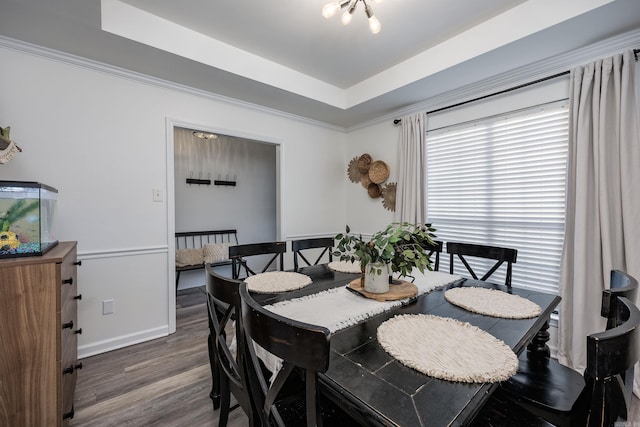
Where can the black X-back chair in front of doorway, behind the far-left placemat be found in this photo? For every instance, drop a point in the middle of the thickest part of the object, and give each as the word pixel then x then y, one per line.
pixel 259 252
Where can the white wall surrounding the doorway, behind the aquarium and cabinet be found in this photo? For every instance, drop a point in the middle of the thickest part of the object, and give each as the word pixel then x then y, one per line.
pixel 101 139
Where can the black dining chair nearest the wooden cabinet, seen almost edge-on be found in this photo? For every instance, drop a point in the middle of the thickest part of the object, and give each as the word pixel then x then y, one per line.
pixel 228 367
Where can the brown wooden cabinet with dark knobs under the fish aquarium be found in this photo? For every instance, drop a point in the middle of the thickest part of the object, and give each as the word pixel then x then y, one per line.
pixel 39 338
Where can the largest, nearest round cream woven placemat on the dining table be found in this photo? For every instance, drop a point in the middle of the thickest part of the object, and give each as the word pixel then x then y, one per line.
pixel 447 349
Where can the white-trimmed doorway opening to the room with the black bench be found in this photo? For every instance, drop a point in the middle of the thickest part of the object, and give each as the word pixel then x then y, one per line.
pixel 247 197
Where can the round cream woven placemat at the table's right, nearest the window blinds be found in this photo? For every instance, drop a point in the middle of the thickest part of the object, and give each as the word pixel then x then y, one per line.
pixel 492 302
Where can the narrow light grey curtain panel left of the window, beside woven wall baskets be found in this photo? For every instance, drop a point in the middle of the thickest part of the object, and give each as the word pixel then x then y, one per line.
pixel 410 206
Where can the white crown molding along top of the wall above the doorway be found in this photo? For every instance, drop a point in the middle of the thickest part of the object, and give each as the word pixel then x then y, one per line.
pixel 78 61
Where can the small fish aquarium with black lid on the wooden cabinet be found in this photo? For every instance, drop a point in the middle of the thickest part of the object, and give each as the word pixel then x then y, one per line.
pixel 27 218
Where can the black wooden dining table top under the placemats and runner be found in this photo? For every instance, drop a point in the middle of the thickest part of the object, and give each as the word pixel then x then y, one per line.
pixel 376 389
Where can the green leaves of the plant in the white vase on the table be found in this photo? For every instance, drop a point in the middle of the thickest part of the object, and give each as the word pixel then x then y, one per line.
pixel 404 246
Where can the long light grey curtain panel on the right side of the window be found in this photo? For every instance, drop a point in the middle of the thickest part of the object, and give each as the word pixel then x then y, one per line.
pixel 603 198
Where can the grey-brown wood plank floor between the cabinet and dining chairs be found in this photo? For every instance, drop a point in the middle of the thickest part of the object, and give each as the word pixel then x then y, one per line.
pixel 164 382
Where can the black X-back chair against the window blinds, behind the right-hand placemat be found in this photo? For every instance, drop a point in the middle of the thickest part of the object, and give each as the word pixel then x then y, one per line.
pixel 496 253
